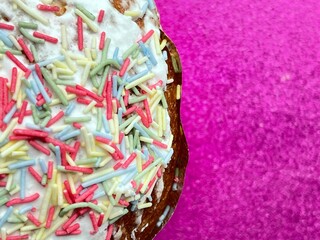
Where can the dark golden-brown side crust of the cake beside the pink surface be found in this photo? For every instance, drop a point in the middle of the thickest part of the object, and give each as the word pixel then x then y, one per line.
pixel 179 160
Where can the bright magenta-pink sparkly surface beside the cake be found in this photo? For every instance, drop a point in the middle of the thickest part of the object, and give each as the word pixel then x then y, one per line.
pixel 251 113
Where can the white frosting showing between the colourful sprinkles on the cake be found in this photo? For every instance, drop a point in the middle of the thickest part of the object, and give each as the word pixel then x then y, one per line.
pixel 123 32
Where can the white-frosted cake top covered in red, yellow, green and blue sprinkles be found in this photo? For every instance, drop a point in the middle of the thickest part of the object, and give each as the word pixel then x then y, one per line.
pixel 85 132
